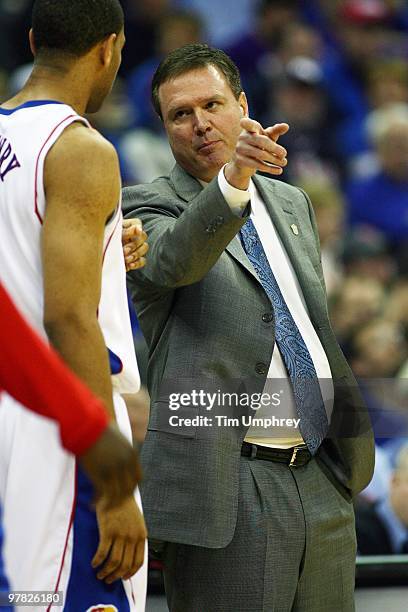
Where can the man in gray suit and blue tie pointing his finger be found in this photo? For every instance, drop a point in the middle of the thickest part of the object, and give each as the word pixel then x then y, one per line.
pixel 248 517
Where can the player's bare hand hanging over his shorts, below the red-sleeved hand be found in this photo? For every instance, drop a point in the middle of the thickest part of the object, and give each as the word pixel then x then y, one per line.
pixel 122 537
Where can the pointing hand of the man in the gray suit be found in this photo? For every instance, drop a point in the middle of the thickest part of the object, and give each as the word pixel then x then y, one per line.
pixel 256 149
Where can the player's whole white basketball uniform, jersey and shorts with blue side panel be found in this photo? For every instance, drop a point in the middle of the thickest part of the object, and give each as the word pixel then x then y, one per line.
pixel 51 532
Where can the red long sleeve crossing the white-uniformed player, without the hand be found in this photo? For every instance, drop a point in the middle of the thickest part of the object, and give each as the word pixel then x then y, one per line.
pixel 35 376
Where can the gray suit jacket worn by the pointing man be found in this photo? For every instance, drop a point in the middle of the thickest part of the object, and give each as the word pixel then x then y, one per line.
pixel 200 307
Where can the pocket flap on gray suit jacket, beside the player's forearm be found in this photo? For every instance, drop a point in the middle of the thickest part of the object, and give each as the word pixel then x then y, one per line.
pixel 182 421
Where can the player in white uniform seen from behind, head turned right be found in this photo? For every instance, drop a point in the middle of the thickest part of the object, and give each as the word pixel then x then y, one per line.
pixel 59 211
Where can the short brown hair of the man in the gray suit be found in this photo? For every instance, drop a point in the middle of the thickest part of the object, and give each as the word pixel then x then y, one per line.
pixel 192 57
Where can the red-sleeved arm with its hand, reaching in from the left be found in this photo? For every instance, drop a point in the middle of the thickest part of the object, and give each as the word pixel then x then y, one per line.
pixel 35 376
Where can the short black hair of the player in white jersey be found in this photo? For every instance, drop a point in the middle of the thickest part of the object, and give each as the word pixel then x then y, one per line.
pixel 74 26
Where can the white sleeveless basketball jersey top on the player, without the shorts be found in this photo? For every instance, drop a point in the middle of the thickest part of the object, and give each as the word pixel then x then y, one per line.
pixel 27 133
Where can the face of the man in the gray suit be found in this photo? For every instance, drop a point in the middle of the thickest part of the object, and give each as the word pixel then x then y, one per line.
pixel 202 120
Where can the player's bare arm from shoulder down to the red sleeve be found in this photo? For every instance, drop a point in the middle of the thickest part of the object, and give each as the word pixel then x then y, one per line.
pixel 81 180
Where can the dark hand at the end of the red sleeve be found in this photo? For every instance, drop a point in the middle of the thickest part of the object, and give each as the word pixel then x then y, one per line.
pixel 113 466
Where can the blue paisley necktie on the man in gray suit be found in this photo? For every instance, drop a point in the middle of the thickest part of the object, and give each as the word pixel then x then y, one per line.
pixel 295 354
